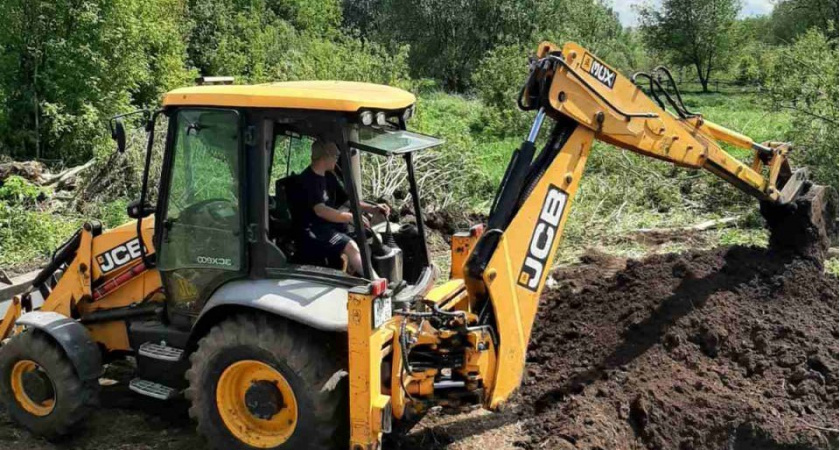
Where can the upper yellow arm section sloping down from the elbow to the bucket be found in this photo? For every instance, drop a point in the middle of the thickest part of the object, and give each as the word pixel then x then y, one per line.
pixel 574 83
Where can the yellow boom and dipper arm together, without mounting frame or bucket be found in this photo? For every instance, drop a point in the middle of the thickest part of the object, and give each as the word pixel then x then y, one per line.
pixel 588 100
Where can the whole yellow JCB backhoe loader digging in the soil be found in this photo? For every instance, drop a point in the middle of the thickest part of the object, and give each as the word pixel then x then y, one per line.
pixel 209 289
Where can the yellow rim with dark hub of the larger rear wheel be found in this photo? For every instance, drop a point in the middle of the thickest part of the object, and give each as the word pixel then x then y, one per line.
pixel 238 387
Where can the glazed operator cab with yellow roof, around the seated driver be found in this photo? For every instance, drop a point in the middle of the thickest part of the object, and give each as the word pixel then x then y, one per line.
pixel 229 206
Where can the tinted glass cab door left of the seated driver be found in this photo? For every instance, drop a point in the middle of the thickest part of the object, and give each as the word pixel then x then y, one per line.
pixel 201 243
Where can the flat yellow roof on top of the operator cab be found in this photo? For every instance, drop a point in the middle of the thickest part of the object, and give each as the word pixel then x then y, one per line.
pixel 345 96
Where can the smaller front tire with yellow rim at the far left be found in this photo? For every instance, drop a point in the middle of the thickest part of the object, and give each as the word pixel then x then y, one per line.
pixel 40 388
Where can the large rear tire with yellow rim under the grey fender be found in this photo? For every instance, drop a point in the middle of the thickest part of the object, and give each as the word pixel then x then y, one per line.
pixel 258 381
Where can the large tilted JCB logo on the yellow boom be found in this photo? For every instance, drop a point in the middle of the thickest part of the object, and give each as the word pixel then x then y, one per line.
pixel 543 238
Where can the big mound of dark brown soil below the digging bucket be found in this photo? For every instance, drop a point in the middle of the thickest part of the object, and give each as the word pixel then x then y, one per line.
pixel 726 349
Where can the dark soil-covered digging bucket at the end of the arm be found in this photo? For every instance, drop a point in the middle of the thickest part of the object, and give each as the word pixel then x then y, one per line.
pixel 806 225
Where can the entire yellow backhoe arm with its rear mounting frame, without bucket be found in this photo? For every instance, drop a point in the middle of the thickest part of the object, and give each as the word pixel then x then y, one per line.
pixel 466 341
